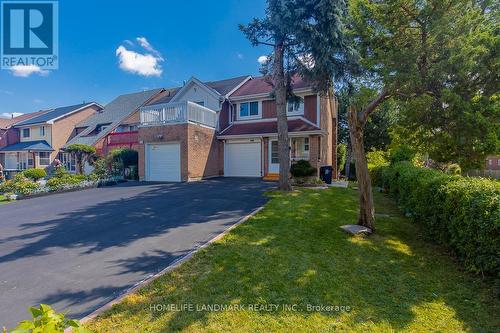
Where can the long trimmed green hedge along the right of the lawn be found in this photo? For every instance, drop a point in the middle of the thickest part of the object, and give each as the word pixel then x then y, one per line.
pixel 460 212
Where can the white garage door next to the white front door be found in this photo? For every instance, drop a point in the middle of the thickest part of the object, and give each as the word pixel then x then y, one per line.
pixel 242 159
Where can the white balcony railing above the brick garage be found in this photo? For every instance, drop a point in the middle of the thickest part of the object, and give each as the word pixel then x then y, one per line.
pixel 177 113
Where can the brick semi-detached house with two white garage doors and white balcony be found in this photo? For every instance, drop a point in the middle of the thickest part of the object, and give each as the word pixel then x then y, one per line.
pixel 229 128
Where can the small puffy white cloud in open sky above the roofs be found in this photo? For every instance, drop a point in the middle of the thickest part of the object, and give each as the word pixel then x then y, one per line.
pixel 147 64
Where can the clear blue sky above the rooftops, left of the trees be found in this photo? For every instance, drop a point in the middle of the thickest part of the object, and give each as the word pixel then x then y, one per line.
pixel 184 38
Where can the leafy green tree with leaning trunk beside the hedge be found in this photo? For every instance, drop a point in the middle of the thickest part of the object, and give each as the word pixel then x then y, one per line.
pixel 436 59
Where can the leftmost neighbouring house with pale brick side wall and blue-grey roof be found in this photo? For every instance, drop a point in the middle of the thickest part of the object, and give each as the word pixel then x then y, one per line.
pixel 36 141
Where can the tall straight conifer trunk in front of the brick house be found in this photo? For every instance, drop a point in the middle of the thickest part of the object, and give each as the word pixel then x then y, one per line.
pixel 283 142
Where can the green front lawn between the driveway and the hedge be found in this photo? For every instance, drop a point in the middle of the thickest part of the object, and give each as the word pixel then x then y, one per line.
pixel 293 252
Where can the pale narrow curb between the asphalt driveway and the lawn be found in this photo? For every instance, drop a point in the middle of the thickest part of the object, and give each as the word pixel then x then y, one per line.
pixel 166 270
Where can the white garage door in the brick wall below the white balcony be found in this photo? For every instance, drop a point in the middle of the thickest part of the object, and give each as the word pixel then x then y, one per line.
pixel 163 162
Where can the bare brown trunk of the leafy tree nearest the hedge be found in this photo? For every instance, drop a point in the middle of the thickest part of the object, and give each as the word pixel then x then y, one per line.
pixel 356 132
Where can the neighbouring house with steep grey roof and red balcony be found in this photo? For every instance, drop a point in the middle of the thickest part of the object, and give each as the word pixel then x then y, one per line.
pixel 115 126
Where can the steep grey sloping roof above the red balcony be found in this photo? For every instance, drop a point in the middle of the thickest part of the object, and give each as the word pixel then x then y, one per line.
pixel 113 113
